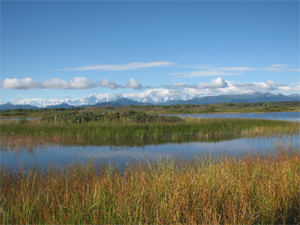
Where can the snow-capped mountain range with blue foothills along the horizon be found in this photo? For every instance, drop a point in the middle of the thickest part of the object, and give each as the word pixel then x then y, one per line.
pixel 151 97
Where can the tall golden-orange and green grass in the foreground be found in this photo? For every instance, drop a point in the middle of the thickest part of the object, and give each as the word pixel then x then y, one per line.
pixel 253 189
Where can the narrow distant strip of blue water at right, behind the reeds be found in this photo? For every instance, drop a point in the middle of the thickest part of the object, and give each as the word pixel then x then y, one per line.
pixel 290 116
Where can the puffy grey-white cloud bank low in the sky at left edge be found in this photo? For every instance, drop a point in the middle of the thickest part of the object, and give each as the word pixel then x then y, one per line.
pixel 55 83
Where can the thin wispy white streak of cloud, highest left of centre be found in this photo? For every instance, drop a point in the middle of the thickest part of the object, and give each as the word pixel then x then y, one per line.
pixel 121 67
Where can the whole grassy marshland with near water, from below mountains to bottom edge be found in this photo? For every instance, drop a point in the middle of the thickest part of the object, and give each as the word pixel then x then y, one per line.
pixel 128 168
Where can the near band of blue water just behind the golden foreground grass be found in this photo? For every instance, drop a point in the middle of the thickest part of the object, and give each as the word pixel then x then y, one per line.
pixel 64 155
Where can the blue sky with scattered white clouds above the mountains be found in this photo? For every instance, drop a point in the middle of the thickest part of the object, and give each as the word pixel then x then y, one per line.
pixel 56 50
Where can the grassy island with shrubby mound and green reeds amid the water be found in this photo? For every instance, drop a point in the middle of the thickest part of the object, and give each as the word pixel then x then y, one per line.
pixel 137 126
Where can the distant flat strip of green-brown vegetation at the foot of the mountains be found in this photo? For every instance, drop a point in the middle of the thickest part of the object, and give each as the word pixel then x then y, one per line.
pixel 240 107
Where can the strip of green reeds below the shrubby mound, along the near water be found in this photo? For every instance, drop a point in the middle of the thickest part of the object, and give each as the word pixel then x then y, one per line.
pixel 196 127
